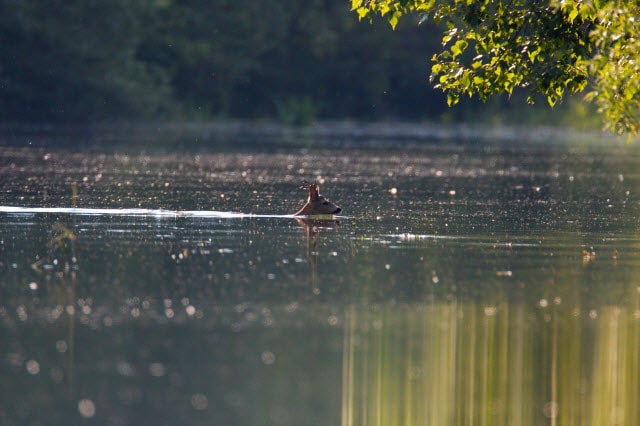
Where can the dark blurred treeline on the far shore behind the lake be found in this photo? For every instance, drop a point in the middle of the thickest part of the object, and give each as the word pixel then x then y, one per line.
pixel 97 60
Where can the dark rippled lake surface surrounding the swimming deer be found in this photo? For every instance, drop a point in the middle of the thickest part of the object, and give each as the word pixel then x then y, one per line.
pixel 462 285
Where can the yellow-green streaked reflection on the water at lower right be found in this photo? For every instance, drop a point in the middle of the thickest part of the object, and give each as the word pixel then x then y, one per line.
pixel 451 363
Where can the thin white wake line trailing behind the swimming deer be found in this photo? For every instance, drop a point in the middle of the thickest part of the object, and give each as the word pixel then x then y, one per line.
pixel 134 212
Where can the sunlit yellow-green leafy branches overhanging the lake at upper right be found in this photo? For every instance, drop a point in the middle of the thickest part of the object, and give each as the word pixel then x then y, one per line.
pixel 550 47
